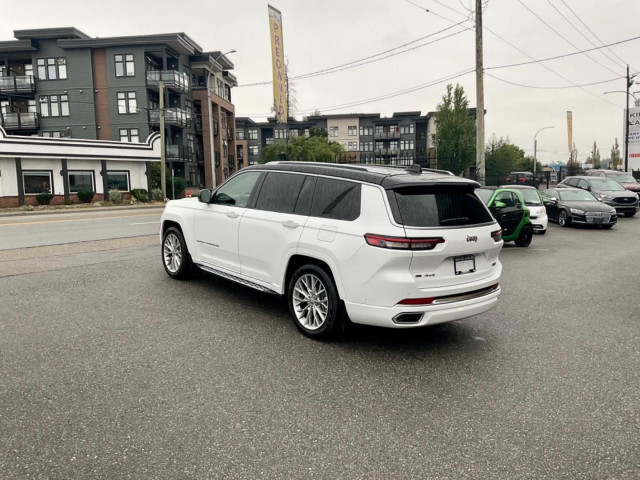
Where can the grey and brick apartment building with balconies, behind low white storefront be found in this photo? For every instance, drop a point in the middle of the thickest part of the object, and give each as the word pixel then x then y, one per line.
pixel 60 82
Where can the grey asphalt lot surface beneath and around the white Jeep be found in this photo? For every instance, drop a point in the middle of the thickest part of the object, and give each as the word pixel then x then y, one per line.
pixel 109 369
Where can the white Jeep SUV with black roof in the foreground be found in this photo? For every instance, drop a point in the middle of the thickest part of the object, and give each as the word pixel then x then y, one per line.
pixel 387 246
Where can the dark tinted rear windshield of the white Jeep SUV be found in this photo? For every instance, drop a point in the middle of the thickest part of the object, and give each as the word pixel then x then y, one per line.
pixel 425 206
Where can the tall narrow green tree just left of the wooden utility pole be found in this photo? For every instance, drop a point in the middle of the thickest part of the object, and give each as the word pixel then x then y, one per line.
pixel 455 136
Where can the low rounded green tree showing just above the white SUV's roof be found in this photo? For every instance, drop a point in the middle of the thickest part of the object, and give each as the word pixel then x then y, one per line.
pixel 316 148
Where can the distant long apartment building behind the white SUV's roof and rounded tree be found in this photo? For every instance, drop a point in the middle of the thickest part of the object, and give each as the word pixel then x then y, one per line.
pixel 401 139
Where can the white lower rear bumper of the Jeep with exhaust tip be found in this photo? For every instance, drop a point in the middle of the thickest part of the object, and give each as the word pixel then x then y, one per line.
pixel 429 314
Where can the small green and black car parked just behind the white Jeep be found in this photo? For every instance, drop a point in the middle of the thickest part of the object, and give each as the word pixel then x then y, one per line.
pixel 510 210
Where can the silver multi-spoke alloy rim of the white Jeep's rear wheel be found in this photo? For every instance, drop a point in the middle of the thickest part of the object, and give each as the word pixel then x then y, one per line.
pixel 310 301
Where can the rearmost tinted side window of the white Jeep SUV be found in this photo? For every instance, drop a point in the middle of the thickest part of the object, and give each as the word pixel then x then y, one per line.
pixel 336 199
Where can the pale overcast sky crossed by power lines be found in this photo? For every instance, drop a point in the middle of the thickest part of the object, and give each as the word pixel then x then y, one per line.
pixel 319 34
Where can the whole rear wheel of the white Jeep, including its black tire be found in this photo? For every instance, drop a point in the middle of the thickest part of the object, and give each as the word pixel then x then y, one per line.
pixel 331 325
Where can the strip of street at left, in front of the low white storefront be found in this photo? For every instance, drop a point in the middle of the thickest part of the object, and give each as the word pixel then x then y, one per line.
pixel 57 228
